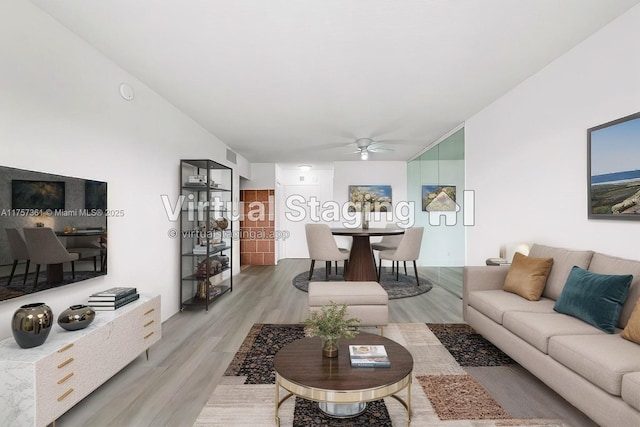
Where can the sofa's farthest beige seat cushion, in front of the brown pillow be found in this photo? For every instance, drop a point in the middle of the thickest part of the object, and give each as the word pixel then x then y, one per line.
pixel 494 303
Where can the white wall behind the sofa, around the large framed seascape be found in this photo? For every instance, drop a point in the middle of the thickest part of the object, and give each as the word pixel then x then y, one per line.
pixel 526 154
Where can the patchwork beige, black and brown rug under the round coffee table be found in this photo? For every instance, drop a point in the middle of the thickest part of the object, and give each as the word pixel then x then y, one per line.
pixel 442 392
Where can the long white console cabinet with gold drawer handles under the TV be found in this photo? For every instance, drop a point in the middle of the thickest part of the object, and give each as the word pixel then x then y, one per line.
pixel 39 384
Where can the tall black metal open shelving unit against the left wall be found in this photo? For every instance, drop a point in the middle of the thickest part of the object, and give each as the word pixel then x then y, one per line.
pixel 206 232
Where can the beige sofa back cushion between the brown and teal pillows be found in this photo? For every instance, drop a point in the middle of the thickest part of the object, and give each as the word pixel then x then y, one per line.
pixel 563 261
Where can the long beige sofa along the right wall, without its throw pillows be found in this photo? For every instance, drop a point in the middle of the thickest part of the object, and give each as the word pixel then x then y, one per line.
pixel 596 371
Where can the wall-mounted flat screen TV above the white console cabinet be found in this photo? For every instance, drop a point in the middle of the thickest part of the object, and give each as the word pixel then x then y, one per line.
pixel 74 209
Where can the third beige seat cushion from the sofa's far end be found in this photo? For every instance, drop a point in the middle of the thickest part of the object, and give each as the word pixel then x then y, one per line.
pixel 602 359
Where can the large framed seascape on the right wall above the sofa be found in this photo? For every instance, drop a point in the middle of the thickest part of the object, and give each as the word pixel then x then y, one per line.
pixel 613 169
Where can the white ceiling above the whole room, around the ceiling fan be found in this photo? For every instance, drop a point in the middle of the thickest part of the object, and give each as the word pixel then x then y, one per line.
pixel 295 81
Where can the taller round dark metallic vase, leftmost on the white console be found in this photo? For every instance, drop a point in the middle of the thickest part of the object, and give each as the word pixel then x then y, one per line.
pixel 31 324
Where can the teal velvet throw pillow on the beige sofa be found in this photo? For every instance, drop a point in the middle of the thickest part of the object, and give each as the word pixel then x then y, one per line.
pixel 594 298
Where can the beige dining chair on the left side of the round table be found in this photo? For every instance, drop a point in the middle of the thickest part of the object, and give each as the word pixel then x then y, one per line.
pixel 323 247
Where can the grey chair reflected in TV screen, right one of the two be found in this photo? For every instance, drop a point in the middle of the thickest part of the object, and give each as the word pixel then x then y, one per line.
pixel 44 247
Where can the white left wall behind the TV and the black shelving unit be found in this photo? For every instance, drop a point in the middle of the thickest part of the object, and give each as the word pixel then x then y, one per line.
pixel 61 112
